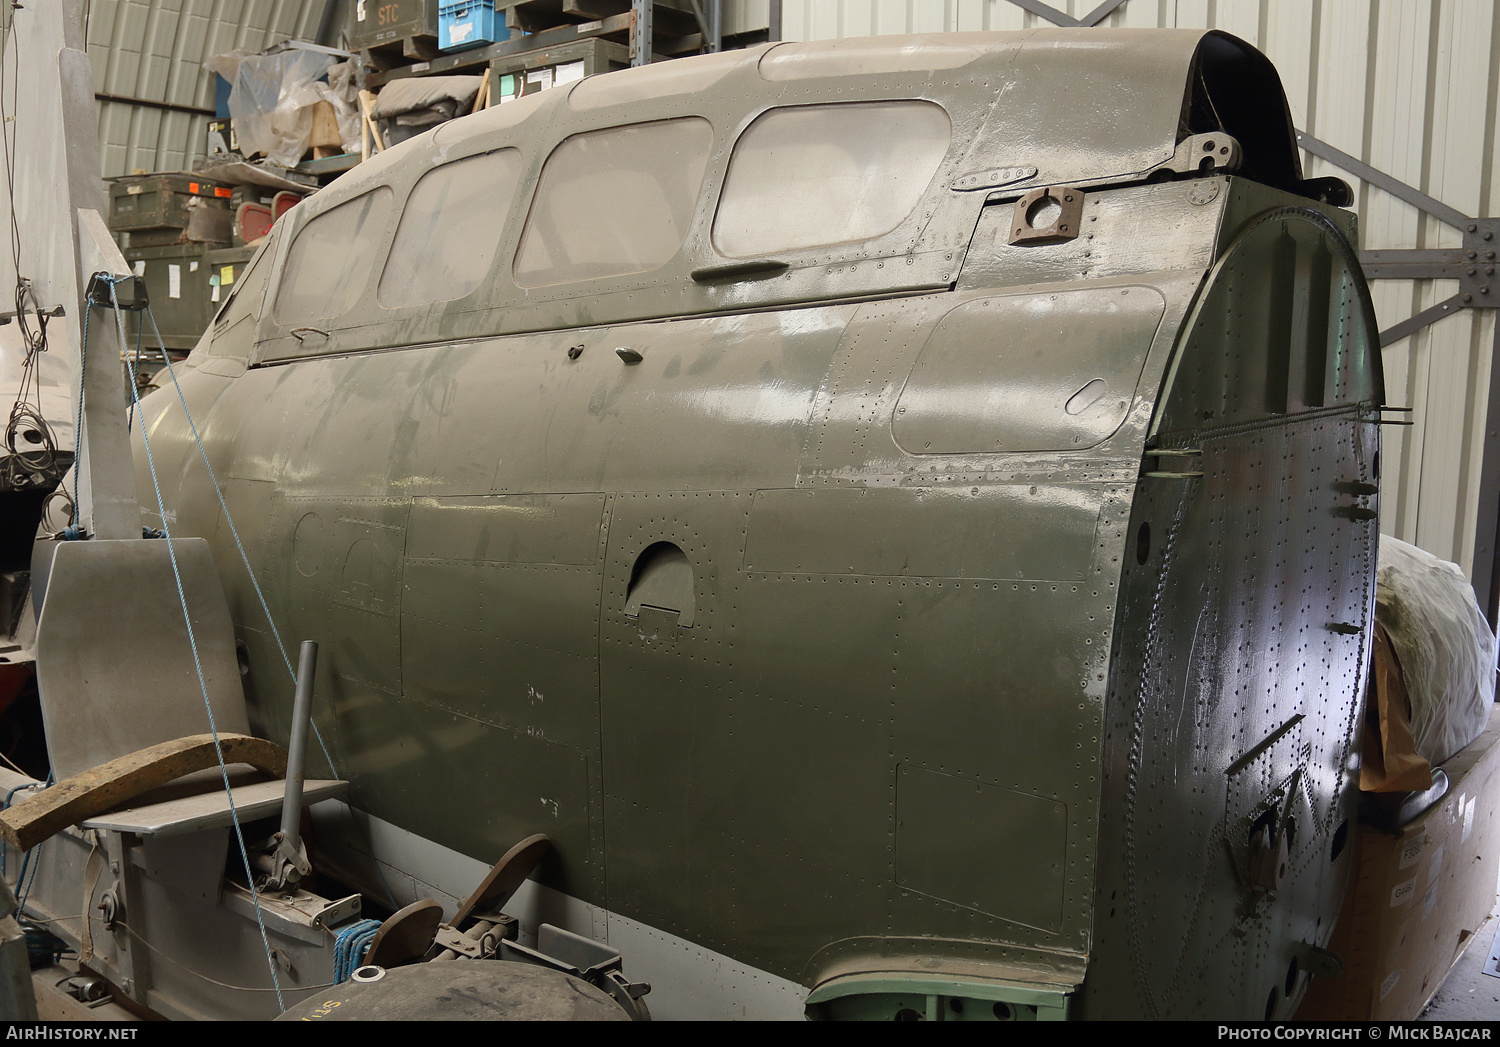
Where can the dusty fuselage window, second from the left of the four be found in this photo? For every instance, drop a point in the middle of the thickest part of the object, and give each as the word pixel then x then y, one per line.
pixel 451 230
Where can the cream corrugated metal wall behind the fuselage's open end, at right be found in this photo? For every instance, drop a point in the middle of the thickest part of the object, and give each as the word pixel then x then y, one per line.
pixel 1408 86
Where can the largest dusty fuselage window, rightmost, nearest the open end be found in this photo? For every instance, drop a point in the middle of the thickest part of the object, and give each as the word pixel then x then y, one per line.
pixel 823 175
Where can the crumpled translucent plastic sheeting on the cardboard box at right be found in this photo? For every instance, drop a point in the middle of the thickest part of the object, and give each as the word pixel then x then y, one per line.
pixel 1445 647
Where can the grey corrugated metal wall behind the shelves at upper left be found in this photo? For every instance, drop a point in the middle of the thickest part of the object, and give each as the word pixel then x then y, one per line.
pixel 155 50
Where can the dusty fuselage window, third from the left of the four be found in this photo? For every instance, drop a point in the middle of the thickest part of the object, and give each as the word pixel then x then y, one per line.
pixel 616 202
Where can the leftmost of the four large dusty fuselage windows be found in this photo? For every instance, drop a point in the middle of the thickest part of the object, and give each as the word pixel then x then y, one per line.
pixel 331 260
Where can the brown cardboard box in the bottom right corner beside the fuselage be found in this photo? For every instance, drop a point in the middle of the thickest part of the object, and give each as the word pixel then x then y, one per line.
pixel 1418 898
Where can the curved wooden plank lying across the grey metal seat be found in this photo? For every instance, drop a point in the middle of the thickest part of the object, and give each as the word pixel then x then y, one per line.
pixel 101 788
